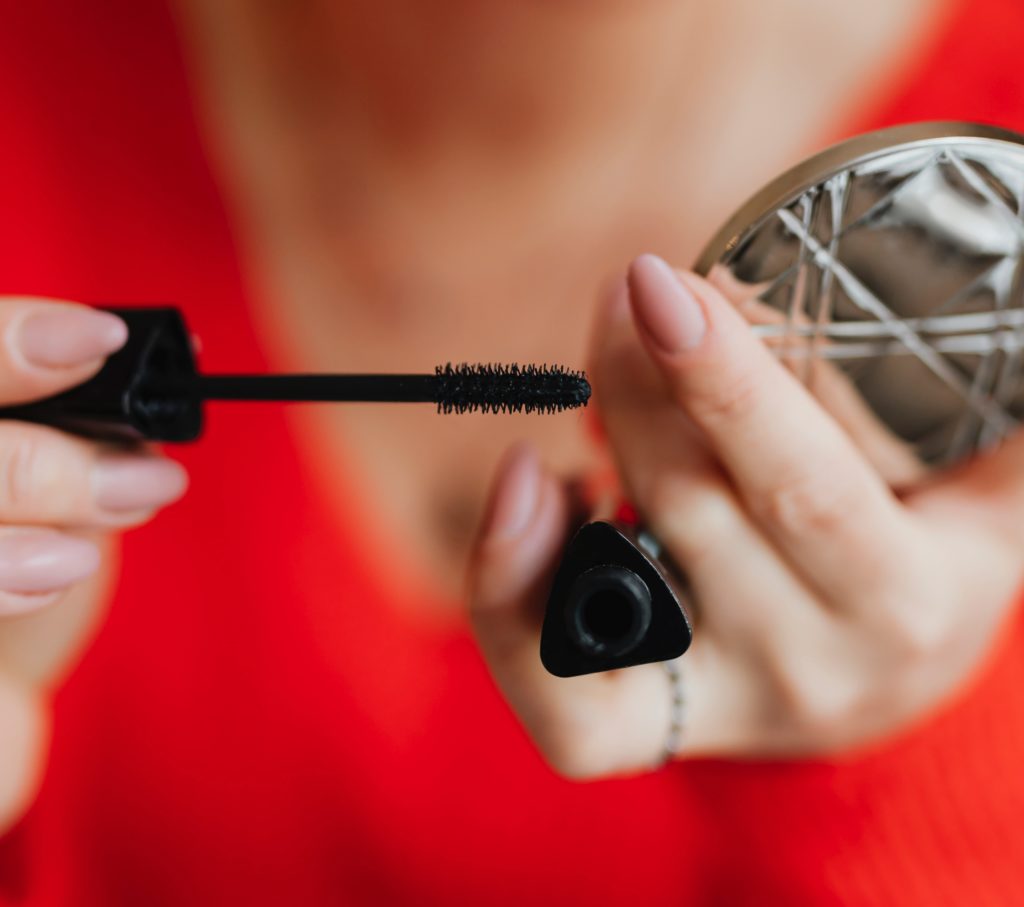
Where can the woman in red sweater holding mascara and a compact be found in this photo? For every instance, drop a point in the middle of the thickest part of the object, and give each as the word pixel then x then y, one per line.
pixel 284 702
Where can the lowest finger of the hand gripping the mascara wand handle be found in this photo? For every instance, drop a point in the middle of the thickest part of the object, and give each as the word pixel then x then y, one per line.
pixel 37 566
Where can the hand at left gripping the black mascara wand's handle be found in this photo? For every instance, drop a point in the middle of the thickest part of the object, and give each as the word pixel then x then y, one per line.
pixel 62 498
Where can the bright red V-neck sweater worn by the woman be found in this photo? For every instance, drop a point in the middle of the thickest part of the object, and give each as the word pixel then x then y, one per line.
pixel 259 723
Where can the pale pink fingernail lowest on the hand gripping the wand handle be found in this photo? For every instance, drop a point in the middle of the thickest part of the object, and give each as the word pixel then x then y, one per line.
pixel 45 560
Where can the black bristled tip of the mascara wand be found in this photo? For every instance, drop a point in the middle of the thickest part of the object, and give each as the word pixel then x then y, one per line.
pixel 497 388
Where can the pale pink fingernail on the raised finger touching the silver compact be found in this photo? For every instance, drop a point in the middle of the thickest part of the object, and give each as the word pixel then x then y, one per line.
pixel 665 308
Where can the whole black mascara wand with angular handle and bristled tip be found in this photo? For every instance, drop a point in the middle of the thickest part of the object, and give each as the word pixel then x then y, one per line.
pixel 152 391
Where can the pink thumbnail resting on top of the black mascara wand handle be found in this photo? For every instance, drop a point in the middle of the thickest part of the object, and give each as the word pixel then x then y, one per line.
pixel 62 337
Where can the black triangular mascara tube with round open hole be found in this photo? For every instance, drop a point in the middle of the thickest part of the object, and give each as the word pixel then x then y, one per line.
pixel 612 606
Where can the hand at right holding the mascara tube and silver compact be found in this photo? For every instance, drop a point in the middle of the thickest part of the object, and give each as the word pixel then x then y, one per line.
pixel 830 611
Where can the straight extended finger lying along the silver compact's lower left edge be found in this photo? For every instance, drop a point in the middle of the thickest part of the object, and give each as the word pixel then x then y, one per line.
pixel 796 471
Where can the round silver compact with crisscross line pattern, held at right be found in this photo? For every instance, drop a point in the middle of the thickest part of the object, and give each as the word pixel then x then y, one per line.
pixel 891 265
